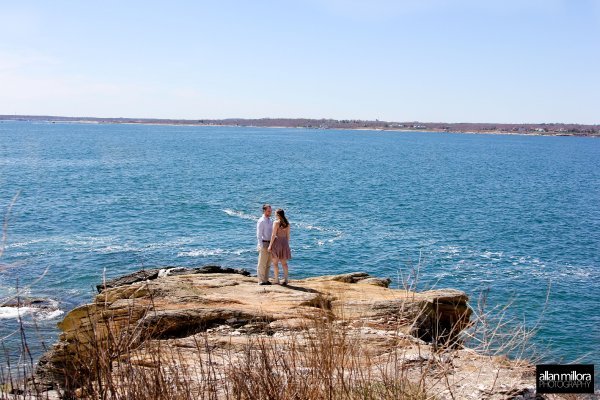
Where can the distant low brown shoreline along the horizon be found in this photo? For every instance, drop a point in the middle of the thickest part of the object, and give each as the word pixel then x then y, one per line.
pixel 545 129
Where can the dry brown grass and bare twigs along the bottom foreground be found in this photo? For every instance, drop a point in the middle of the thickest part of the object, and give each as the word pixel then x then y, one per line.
pixel 326 359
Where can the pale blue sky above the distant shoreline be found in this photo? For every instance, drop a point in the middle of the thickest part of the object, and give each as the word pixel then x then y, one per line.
pixel 404 60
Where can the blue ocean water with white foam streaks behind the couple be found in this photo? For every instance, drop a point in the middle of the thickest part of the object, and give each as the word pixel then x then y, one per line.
pixel 506 215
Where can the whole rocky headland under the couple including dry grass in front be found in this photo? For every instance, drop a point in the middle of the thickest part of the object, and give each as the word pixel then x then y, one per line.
pixel 338 337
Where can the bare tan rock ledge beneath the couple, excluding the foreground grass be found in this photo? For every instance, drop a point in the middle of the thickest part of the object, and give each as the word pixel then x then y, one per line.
pixel 226 309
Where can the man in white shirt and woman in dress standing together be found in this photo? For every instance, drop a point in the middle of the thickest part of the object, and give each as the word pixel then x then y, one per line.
pixel 273 245
